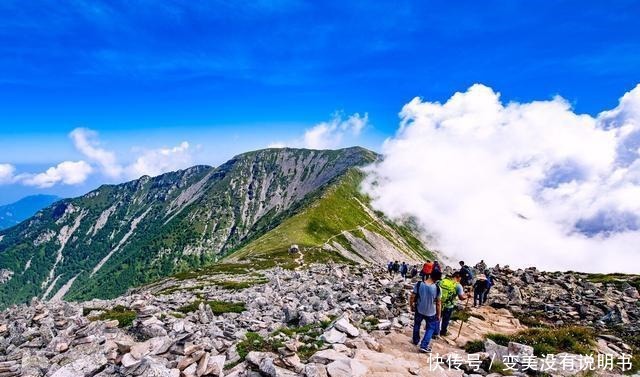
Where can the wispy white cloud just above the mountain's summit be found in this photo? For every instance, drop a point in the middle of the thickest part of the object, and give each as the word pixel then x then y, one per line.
pixel 333 134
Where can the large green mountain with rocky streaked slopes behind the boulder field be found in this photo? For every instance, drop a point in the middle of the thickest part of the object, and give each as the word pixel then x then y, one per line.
pixel 261 202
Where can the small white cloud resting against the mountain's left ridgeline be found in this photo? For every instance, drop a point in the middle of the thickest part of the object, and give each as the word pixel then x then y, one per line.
pixel 158 161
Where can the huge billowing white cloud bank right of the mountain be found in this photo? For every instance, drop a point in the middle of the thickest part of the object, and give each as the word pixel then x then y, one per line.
pixel 519 183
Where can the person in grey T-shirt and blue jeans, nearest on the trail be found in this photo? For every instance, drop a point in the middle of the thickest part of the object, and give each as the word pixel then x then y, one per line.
pixel 426 303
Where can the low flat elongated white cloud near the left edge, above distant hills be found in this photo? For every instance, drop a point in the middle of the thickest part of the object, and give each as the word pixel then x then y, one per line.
pixel 67 172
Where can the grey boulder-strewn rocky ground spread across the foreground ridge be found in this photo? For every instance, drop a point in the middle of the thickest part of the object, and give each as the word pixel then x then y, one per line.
pixel 328 320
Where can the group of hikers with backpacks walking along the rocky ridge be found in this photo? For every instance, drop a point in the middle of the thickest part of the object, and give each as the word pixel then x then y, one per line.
pixel 434 298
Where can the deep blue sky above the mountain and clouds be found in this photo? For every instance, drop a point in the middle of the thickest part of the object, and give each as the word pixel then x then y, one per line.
pixel 231 76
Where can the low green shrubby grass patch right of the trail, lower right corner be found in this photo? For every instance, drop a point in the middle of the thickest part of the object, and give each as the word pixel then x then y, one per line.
pixel 572 339
